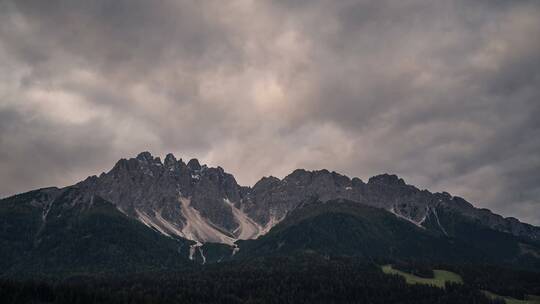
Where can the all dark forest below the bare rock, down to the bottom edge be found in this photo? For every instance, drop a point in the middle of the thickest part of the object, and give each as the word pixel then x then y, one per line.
pixel 321 253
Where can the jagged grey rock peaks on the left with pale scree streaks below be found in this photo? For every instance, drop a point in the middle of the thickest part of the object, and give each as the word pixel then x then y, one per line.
pixel 175 198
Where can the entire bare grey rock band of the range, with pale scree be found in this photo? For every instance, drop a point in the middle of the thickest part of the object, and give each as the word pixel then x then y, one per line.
pixel 206 204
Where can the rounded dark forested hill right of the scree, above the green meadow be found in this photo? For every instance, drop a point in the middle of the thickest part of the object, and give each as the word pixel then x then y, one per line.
pixel 343 227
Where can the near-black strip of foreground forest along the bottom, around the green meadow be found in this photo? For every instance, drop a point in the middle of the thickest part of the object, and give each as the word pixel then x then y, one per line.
pixel 298 279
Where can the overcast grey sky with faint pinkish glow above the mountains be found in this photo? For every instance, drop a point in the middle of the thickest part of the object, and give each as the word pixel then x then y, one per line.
pixel 446 94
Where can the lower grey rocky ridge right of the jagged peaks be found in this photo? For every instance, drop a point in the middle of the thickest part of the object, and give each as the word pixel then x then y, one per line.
pixel 271 199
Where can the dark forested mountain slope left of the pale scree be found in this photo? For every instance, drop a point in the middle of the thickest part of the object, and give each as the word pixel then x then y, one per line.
pixel 75 238
